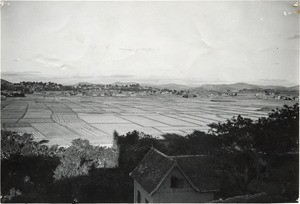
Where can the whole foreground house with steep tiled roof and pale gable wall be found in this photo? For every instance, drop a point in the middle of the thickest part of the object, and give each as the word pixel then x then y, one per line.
pixel 174 179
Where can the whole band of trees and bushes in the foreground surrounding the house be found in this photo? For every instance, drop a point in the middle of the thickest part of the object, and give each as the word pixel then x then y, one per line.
pixel 257 158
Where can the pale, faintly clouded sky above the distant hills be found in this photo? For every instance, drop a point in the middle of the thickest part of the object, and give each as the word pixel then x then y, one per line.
pixel 196 42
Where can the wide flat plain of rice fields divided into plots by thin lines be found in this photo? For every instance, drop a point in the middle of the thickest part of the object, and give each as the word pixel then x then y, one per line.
pixel 63 119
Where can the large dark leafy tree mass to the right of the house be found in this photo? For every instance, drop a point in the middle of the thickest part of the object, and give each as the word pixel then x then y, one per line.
pixel 251 152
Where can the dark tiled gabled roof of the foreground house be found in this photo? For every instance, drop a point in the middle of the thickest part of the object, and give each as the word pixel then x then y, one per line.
pixel 199 170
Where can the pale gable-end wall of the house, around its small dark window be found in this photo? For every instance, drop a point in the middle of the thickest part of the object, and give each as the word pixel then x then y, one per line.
pixel 186 194
